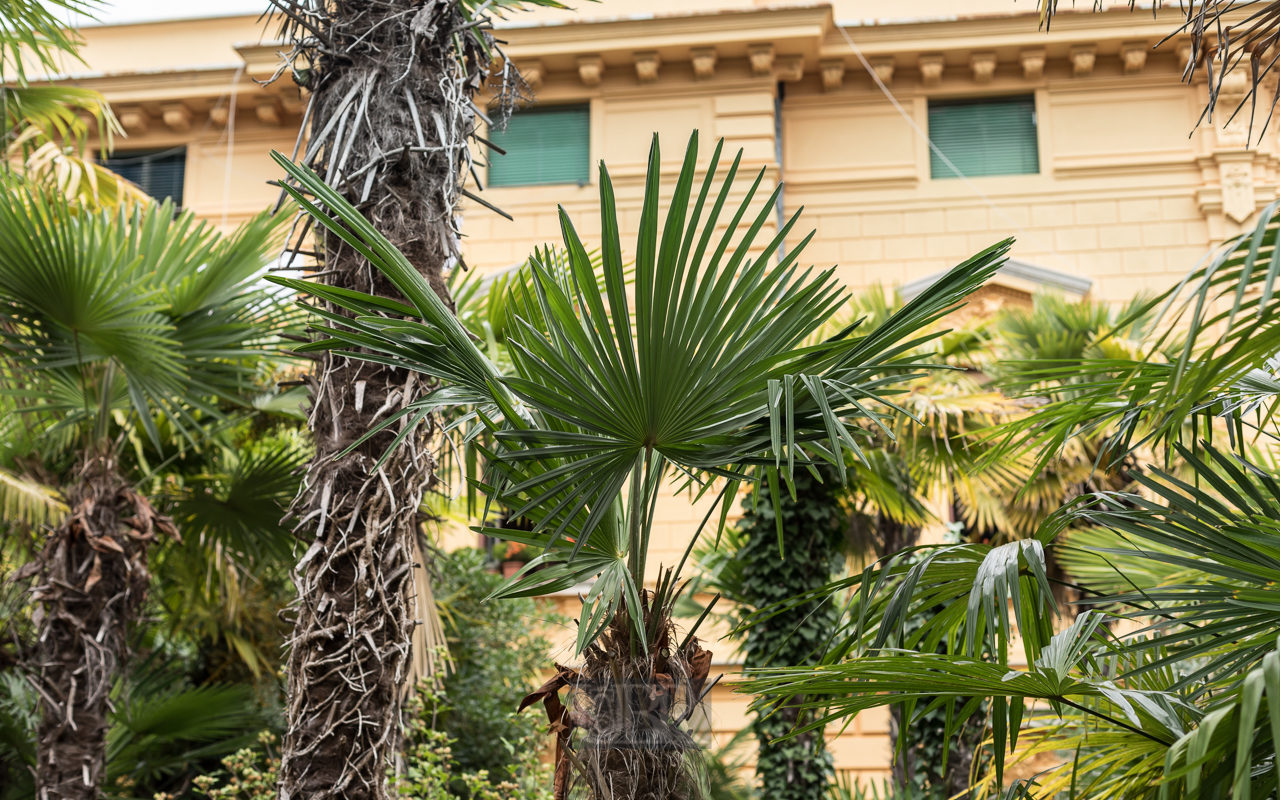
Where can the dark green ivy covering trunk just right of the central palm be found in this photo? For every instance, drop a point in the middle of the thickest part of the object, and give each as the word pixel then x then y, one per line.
pixel 813 524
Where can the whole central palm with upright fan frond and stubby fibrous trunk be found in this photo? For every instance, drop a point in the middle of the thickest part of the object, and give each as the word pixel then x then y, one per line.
pixel 714 383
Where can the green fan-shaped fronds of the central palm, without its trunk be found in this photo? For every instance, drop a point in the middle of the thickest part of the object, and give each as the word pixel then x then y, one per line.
pixel 701 369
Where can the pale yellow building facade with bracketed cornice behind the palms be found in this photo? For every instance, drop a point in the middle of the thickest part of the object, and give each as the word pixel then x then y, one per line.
pixel 1117 191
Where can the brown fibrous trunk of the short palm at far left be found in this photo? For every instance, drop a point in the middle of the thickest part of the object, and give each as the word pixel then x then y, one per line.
pixel 93 579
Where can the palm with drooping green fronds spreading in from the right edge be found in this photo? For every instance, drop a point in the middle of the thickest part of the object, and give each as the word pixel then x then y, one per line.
pixel 1174 707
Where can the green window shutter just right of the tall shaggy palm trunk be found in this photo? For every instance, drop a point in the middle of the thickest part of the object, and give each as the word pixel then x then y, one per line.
pixel 545 145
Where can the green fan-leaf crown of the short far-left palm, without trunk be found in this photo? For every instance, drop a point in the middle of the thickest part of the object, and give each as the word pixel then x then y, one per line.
pixel 132 321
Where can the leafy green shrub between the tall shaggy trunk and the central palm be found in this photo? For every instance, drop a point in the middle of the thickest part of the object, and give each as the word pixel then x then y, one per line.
pixel 497 650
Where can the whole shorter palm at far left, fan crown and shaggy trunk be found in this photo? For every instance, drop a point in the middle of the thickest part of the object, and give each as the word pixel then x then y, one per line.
pixel 118 328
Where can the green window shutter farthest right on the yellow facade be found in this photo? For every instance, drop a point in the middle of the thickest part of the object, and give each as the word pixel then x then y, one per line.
pixel 985 138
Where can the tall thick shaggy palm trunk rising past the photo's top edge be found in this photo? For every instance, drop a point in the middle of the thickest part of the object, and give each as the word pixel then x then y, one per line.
pixel 391 116
